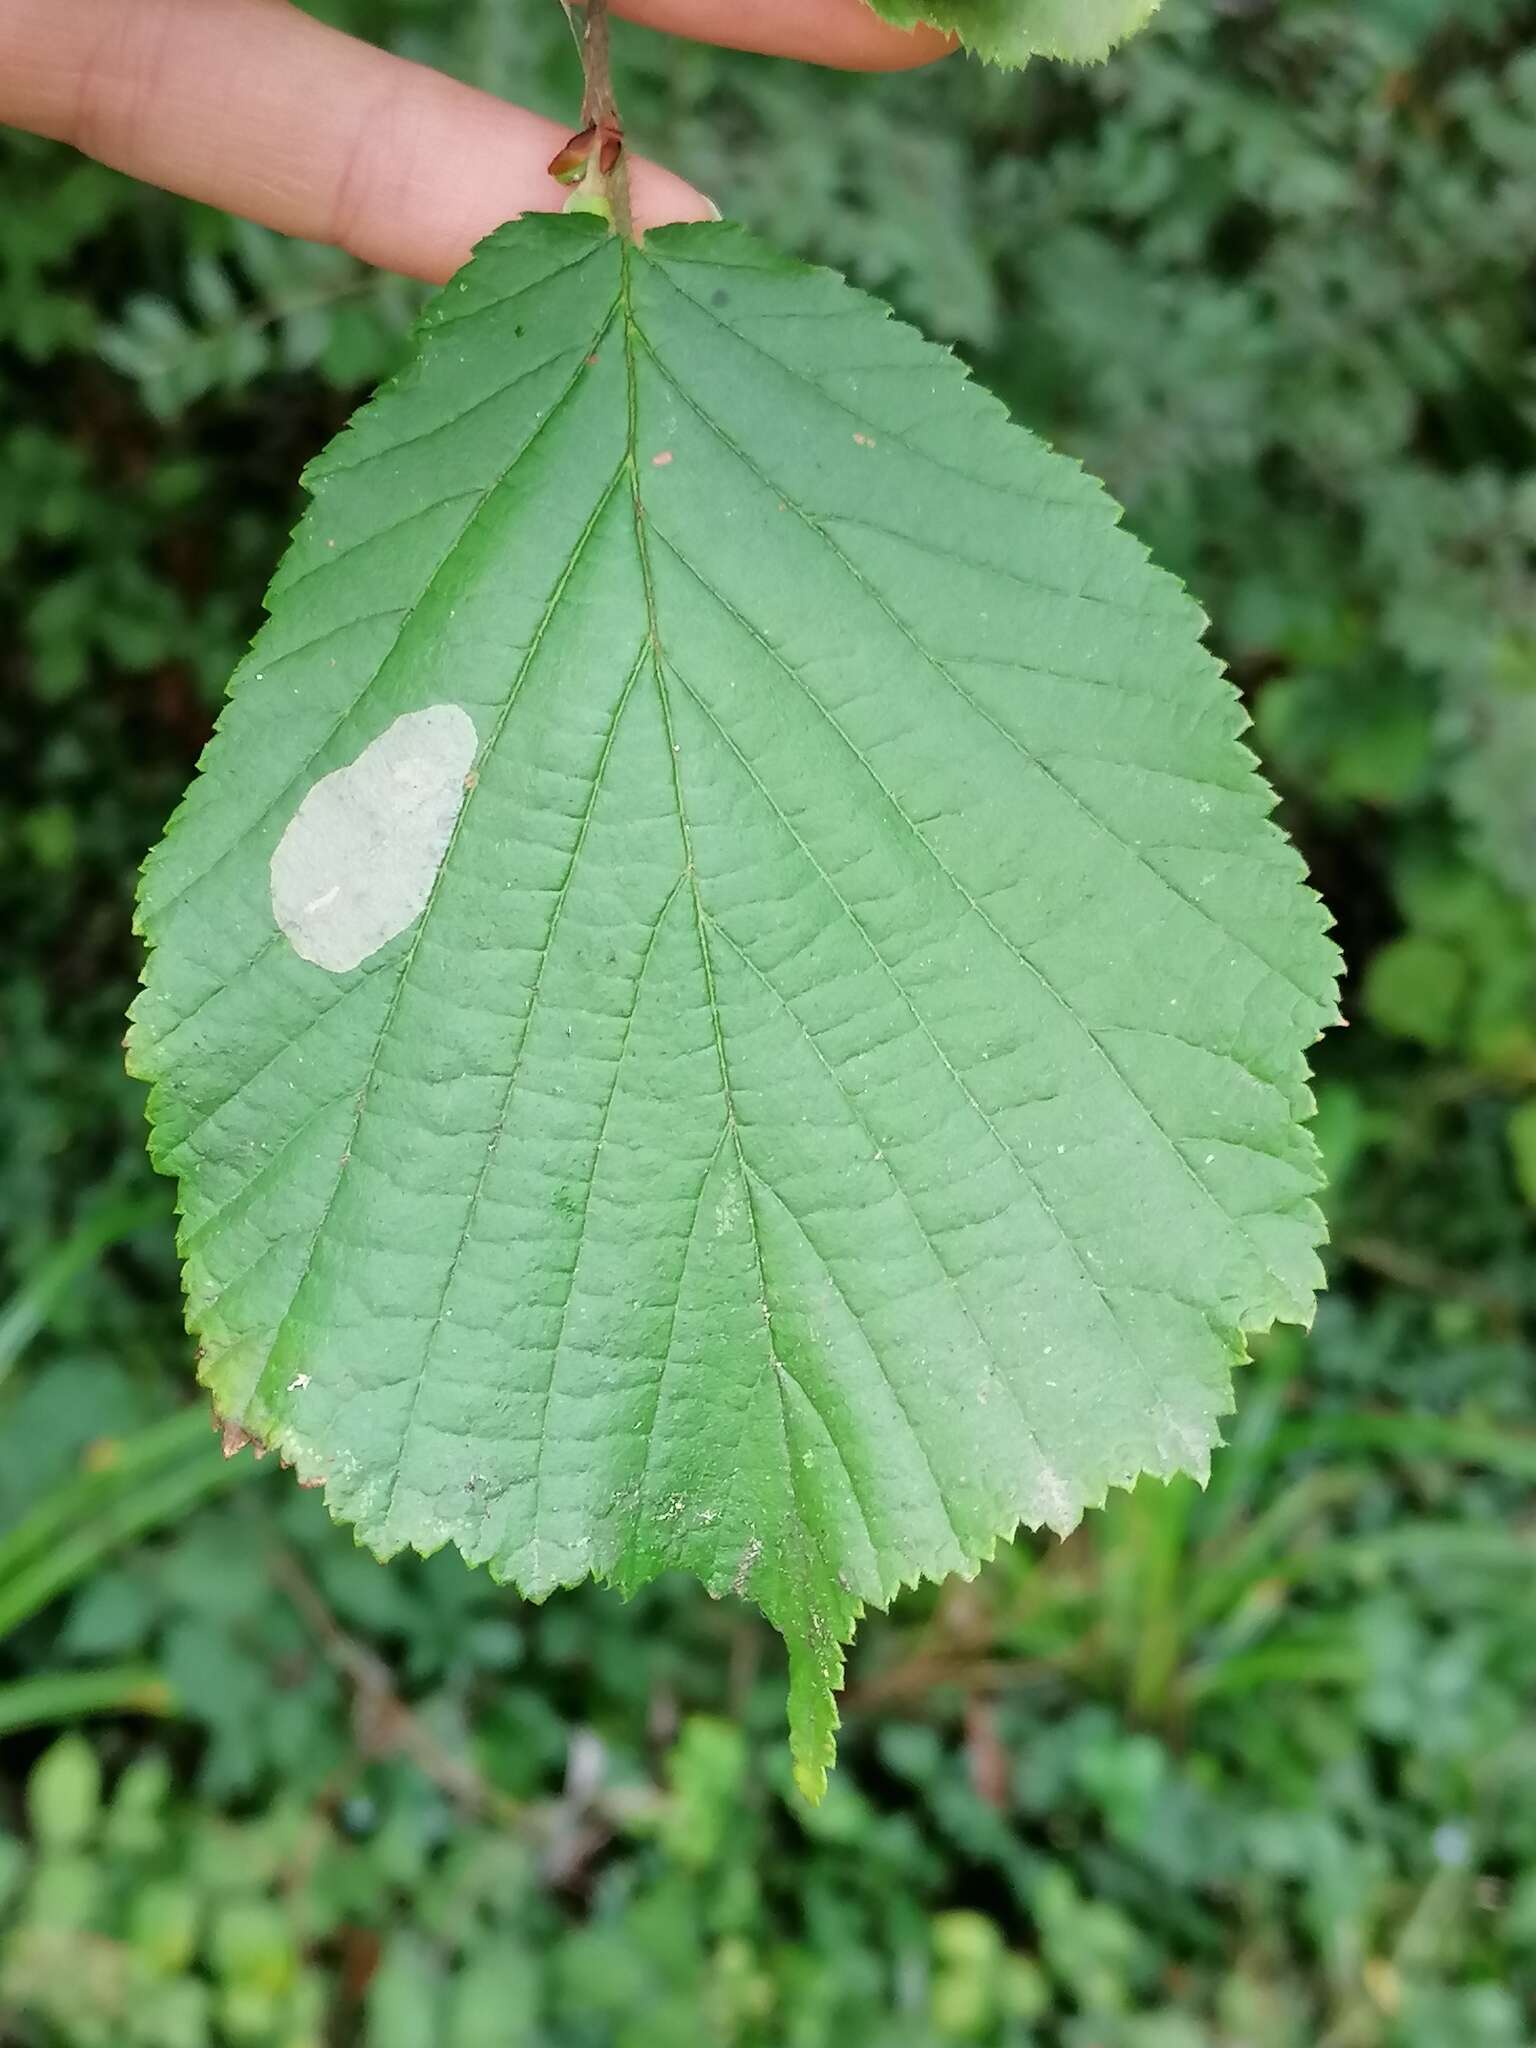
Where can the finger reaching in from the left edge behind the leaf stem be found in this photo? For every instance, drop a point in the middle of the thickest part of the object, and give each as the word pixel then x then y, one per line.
pixel 257 108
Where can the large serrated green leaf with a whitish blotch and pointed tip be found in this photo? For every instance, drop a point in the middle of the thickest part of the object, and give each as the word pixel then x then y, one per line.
pixel 726 996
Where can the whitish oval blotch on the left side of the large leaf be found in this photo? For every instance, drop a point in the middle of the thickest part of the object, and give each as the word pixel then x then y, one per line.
pixel 361 853
